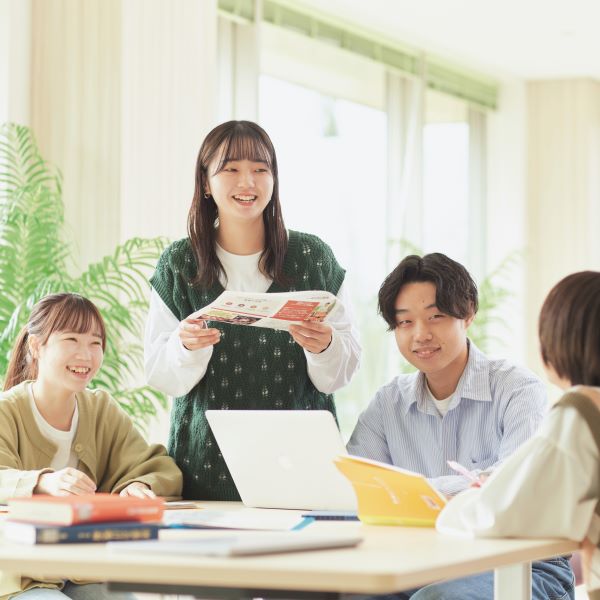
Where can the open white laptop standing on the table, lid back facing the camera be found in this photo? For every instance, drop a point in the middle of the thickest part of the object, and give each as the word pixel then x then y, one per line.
pixel 283 458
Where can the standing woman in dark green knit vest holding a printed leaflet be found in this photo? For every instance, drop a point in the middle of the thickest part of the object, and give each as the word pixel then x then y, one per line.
pixel 237 241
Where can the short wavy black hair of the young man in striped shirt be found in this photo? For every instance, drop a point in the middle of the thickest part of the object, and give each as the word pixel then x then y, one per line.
pixel 455 290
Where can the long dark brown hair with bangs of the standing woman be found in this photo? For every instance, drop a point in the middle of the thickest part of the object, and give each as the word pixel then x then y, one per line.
pixel 234 140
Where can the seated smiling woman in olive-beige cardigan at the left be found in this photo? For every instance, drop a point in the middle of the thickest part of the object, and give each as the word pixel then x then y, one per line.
pixel 59 438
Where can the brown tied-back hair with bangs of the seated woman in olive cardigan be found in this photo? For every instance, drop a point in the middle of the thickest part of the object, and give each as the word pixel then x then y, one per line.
pixel 55 312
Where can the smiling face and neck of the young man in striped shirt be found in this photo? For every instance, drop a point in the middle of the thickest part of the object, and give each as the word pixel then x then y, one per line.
pixel 433 342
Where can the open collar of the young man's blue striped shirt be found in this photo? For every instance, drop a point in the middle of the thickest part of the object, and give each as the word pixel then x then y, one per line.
pixel 474 384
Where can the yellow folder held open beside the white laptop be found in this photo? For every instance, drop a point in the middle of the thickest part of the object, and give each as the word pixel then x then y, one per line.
pixel 388 495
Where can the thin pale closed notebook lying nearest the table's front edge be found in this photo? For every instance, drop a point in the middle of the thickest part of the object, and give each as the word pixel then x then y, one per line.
pixel 243 545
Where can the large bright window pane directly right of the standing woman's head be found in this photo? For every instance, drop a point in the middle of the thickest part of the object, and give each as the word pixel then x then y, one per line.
pixel 331 155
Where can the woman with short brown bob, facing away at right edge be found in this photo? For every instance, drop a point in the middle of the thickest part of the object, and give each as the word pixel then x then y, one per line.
pixel 550 487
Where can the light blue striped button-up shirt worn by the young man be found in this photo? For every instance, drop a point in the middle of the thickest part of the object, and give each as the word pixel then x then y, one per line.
pixel 496 407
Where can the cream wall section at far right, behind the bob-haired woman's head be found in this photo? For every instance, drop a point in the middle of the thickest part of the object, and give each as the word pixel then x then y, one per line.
pixel 563 198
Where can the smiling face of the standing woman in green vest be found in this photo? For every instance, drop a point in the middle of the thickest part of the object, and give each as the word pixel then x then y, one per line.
pixel 241 189
